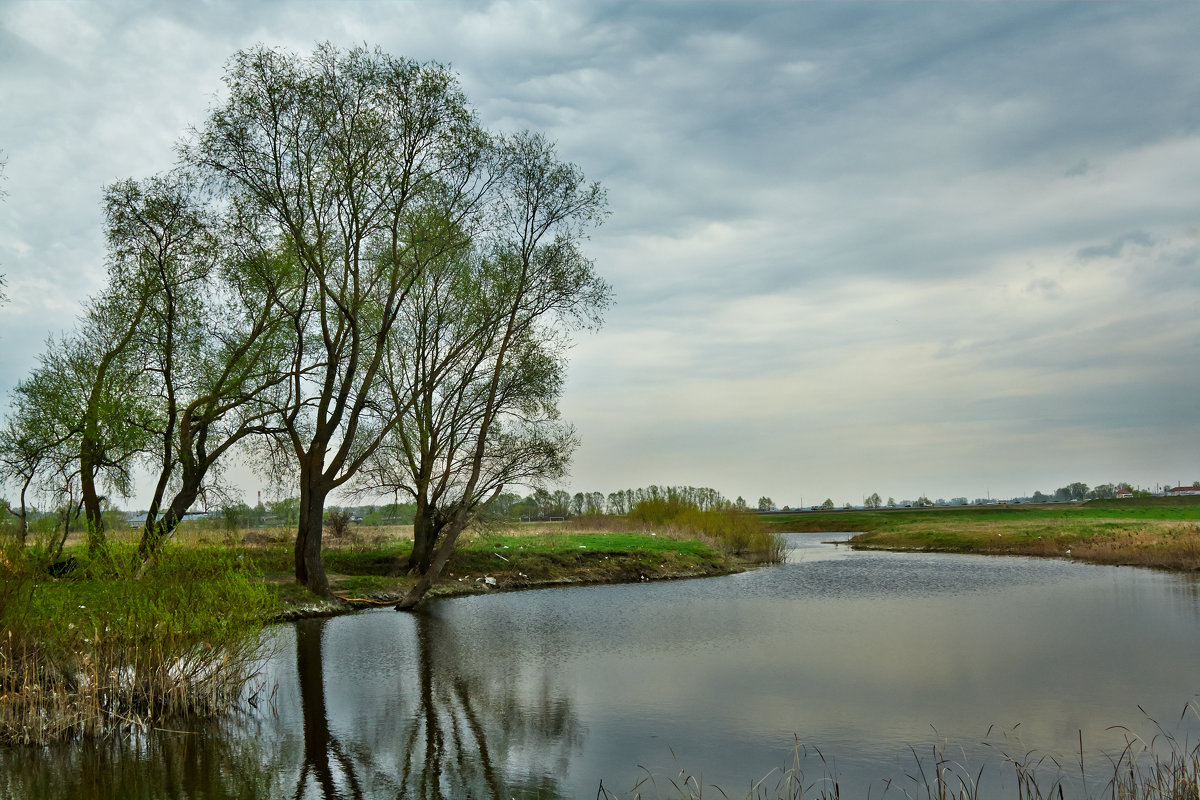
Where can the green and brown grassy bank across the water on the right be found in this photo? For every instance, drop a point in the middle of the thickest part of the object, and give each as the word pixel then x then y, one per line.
pixel 1162 533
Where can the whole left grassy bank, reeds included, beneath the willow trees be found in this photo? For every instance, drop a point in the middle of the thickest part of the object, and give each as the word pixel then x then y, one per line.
pixel 98 652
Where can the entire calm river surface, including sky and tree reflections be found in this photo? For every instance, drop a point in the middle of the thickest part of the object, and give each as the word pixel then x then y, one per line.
pixel 548 694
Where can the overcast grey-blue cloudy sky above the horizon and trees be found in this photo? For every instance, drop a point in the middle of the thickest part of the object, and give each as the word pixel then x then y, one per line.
pixel 909 249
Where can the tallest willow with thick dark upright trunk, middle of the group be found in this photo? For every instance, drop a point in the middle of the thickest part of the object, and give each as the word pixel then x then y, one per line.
pixel 364 167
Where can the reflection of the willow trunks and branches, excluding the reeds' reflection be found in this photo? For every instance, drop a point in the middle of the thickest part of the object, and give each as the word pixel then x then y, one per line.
pixel 463 733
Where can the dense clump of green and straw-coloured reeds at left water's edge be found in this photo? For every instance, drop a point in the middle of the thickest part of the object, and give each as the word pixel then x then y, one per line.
pixel 103 653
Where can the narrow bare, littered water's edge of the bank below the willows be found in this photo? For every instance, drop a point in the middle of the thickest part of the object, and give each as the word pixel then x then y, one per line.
pixel 339 605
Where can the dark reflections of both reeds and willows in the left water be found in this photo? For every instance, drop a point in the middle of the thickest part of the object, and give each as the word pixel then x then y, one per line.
pixel 460 726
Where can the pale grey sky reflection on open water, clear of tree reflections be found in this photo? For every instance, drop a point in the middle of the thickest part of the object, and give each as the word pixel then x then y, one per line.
pixel 860 654
